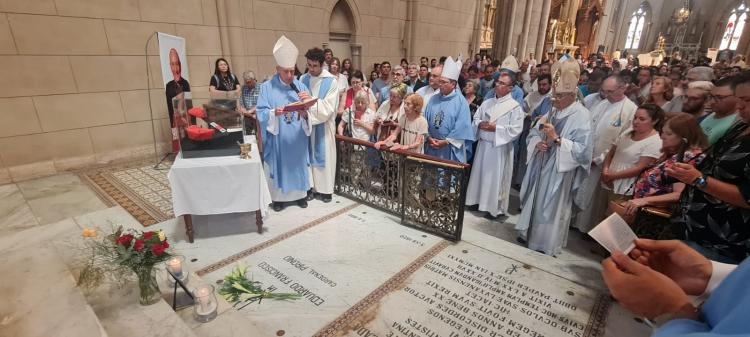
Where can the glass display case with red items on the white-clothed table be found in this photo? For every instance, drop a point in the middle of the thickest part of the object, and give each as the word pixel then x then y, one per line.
pixel 209 125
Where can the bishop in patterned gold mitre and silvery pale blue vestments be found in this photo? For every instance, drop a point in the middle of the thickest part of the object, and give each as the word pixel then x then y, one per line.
pixel 559 155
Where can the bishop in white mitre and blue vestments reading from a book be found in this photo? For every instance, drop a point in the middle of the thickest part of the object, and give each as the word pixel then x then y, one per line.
pixel 285 145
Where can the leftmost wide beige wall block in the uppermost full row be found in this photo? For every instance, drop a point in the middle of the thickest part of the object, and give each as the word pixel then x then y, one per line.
pixel 55 35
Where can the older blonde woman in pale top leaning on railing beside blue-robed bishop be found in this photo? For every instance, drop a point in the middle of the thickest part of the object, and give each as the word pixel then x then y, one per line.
pixel 412 127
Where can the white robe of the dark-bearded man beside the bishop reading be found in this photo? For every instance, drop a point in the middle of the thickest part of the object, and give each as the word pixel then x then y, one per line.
pixel 324 112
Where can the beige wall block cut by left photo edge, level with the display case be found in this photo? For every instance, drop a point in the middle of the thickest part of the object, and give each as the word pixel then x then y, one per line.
pixel 19 115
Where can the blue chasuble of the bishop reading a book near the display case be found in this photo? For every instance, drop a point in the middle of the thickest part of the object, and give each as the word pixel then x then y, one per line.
pixel 287 153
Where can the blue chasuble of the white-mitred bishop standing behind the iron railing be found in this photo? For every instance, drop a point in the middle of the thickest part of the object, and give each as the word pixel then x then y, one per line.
pixel 448 117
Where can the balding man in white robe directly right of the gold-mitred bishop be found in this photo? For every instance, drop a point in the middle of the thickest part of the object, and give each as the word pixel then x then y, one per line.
pixel 610 119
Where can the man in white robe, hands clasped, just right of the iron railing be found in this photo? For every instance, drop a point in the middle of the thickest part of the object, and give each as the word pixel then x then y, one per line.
pixel 497 123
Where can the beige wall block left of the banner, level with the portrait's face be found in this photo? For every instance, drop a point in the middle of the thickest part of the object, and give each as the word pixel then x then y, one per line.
pixel 109 73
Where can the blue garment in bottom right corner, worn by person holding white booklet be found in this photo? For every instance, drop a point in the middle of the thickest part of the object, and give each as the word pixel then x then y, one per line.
pixel 725 313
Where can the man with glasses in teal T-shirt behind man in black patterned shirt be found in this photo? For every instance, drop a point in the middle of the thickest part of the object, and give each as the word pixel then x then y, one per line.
pixel 724 105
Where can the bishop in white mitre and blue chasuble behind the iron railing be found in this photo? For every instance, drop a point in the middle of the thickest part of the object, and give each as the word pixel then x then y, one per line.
pixel 448 118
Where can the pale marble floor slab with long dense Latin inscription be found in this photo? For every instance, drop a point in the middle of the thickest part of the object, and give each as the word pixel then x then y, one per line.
pixel 476 293
